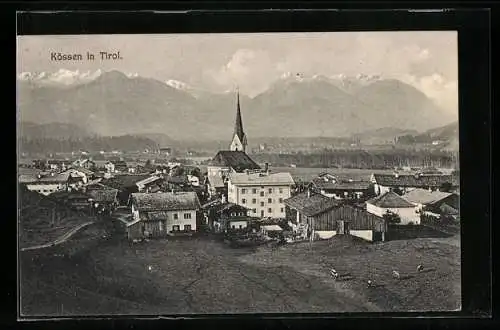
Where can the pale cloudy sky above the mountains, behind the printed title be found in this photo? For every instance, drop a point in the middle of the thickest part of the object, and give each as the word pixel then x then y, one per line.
pixel 427 60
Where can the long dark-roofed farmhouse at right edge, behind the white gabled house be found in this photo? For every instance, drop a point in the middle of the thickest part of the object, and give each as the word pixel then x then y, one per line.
pixel 407 182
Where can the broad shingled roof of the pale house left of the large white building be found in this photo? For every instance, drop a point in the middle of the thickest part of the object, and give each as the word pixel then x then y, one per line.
pixel 165 201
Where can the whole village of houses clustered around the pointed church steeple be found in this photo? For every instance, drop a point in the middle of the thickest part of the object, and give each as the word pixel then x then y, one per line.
pixel 239 202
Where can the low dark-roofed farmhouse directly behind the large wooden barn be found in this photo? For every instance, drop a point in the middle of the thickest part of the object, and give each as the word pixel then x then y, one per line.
pixel 331 186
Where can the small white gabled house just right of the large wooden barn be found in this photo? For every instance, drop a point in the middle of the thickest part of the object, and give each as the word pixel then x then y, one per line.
pixel 393 203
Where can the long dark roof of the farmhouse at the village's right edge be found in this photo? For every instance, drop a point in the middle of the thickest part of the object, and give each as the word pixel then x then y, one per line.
pixel 417 181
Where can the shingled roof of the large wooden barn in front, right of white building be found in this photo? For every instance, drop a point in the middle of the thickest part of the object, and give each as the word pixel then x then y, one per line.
pixel 311 205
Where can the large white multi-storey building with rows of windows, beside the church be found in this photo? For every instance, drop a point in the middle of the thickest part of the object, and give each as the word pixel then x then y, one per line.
pixel 263 193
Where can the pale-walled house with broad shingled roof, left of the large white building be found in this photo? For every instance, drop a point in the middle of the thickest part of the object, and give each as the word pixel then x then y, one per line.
pixel 162 214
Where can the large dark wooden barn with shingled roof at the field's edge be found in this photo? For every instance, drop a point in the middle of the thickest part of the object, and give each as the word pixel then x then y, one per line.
pixel 313 215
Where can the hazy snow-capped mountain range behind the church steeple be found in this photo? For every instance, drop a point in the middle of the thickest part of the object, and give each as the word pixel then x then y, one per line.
pixel 113 103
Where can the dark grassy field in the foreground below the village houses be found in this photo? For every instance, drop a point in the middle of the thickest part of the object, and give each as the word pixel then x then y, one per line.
pixel 203 275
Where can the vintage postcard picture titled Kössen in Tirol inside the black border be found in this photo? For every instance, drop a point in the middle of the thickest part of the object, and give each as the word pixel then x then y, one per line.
pixel 238 173
